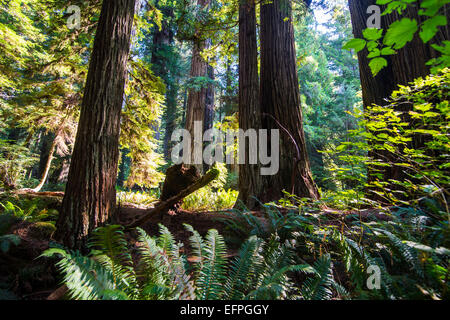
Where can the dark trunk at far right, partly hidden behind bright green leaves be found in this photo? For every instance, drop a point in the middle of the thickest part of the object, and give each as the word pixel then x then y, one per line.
pixel 408 64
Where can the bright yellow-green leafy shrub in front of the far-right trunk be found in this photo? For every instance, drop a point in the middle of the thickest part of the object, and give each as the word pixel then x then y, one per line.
pixel 410 135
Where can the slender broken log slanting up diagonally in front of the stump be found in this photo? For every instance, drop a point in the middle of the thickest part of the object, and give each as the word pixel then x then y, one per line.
pixel 211 175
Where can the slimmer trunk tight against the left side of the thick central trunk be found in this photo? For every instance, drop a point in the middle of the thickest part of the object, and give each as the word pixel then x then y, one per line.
pixel 250 179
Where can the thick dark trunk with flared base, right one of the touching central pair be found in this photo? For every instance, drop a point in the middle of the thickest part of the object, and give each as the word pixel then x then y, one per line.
pixel 280 102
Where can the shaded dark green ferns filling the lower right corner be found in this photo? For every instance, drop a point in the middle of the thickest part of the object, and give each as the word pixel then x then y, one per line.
pixel 410 248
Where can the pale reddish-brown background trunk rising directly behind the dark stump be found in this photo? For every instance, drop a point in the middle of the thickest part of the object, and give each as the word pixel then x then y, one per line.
pixel 195 109
